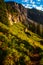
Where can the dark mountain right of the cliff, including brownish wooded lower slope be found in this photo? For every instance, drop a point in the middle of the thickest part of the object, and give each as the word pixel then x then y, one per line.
pixel 37 17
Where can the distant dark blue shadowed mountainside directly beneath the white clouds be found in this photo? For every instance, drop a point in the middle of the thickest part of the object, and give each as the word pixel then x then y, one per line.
pixel 37 13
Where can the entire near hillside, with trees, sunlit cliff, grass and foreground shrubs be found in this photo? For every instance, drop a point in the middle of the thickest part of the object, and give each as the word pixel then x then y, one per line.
pixel 18 44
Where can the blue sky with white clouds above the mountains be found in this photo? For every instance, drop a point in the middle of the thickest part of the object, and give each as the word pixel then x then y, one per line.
pixel 38 4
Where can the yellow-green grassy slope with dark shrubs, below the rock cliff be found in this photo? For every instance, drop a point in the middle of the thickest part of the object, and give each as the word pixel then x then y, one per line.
pixel 16 46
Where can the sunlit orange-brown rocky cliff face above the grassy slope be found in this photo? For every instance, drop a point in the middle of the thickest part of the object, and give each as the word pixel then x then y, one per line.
pixel 16 12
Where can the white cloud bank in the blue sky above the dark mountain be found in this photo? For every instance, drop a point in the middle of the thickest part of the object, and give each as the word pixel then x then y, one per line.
pixel 33 4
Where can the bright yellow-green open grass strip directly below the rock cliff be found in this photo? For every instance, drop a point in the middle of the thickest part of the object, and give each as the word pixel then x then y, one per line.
pixel 18 29
